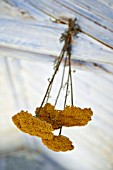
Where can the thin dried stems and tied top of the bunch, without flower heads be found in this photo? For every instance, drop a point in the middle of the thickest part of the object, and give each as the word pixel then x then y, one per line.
pixel 67 38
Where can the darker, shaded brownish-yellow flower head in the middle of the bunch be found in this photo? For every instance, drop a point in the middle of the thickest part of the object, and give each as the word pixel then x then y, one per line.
pixel 49 114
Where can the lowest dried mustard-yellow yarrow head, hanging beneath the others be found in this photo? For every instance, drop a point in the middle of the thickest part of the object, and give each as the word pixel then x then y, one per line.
pixel 58 143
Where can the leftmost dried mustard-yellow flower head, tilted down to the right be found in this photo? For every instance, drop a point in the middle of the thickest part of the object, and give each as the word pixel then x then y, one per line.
pixel 32 125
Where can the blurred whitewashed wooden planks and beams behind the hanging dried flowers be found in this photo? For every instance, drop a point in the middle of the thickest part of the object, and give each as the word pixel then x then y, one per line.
pixel 29 45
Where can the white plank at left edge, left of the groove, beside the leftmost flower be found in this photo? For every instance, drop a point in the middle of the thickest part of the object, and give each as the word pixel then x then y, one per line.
pixel 10 139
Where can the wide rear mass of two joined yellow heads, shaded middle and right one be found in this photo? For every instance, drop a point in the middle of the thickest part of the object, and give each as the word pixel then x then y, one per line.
pixel 70 116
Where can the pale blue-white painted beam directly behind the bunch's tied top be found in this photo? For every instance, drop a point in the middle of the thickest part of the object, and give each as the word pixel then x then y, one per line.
pixel 34 38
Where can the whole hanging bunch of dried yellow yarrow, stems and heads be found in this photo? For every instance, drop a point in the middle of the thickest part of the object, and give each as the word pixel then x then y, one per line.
pixel 47 118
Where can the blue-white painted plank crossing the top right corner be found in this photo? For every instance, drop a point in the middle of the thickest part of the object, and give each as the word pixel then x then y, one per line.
pixel 91 11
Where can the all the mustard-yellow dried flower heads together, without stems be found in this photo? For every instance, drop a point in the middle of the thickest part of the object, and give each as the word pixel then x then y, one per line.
pixel 50 119
